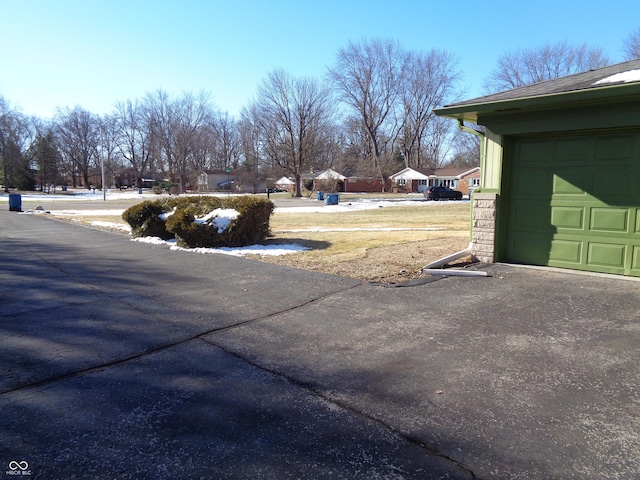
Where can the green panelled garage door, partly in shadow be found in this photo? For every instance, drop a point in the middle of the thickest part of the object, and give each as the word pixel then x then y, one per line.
pixel 574 202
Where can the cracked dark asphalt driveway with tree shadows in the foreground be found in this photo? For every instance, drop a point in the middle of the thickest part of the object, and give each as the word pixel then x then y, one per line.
pixel 126 360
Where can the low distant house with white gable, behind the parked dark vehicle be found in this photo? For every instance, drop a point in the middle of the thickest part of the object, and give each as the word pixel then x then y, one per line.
pixel 410 180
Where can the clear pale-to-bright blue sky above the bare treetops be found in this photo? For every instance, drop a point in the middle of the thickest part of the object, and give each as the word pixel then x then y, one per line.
pixel 94 53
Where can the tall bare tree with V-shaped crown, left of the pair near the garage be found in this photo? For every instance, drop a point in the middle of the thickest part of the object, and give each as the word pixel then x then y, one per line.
pixel 368 77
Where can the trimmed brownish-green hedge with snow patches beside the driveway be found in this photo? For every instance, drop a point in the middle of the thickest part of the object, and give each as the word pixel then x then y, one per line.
pixel 175 218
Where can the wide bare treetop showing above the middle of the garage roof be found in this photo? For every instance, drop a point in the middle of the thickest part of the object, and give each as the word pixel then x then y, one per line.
pixel 527 66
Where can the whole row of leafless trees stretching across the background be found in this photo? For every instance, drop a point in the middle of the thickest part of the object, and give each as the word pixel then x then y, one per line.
pixel 371 115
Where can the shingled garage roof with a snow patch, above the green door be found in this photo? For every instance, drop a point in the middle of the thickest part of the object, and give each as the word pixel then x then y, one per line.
pixel 614 83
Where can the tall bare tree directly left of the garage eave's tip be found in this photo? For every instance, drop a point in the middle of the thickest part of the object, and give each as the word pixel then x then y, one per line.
pixel 430 81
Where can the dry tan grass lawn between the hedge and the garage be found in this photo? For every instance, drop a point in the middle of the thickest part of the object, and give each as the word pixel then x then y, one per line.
pixel 357 245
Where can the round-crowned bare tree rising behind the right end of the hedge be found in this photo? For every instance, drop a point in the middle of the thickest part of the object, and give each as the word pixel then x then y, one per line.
pixel 292 114
